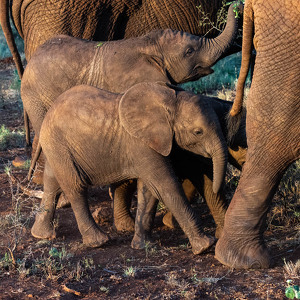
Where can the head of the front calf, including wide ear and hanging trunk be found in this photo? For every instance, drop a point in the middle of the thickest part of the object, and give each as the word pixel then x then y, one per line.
pixel 175 115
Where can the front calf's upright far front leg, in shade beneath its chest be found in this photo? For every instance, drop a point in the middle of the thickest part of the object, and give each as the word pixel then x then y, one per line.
pixel 144 219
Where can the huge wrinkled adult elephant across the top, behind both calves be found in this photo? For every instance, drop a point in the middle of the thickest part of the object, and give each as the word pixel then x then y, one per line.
pixel 39 20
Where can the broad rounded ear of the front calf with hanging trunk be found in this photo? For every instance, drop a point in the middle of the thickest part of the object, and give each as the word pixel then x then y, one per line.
pixel 145 112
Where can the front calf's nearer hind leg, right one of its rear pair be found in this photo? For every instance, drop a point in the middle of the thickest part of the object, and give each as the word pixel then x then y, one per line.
pixel 91 234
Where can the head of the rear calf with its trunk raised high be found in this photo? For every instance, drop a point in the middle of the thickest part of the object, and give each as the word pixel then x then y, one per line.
pixel 185 57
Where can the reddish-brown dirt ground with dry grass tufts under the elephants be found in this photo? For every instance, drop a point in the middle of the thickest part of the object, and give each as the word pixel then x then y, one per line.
pixel 64 269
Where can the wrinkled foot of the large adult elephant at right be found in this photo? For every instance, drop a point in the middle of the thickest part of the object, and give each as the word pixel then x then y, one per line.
pixel 232 253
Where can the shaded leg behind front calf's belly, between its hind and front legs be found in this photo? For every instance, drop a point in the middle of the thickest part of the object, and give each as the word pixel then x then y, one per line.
pixel 122 196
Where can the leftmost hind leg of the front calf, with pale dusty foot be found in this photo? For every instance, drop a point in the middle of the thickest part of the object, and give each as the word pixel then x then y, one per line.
pixel 43 226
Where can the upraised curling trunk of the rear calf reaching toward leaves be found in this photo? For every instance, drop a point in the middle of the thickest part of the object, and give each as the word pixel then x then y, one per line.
pixel 216 47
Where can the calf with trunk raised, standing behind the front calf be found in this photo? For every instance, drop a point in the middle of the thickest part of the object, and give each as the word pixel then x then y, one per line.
pixel 163 55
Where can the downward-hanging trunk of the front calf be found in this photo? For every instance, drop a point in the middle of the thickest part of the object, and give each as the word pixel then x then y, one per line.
pixel 219 158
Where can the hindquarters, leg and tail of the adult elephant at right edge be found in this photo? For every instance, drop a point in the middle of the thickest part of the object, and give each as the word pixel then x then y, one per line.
pixel 272 127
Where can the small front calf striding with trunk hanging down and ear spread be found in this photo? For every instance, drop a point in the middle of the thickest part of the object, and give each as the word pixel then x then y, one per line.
pixel 94 137
